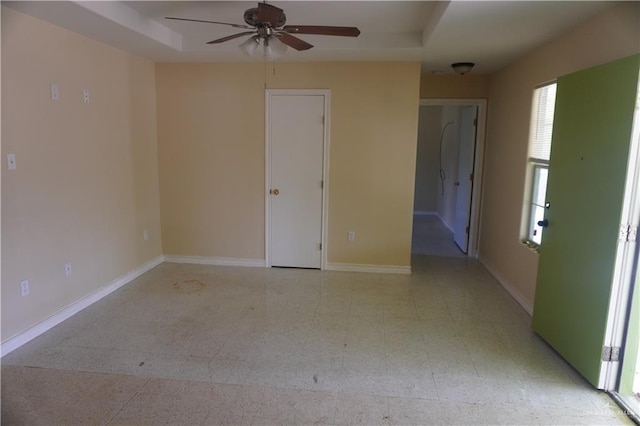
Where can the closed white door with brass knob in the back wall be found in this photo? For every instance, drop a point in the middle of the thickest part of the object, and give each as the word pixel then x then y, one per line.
pixel 296 152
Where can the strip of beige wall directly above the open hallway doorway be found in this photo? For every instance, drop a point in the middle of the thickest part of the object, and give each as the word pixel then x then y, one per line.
pixel 453 86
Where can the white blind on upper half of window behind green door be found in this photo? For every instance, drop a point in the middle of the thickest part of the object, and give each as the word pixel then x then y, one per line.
pixel 544 102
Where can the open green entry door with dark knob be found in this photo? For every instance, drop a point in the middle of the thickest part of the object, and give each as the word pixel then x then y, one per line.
pixel 587 171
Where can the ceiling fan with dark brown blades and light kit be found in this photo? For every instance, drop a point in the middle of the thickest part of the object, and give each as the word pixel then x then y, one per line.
pixel 267 27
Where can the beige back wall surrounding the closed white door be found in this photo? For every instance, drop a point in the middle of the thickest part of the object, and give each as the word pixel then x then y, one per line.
pixel 211 150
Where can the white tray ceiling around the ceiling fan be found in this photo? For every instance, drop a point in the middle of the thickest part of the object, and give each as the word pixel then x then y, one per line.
pixel 490 33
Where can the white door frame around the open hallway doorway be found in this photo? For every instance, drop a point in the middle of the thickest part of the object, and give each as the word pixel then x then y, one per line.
pixel 476 192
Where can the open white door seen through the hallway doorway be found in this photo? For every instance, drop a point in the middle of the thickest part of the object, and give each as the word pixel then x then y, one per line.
pixel 465 179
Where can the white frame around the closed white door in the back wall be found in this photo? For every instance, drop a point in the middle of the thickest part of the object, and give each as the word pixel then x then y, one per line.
pixel 326 93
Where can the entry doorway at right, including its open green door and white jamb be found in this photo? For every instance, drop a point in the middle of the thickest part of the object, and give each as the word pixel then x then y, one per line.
pixel 588 266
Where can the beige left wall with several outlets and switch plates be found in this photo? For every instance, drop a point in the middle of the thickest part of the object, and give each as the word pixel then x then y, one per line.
pixel 86 183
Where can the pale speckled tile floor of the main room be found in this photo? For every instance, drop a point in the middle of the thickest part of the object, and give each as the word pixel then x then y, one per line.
pixel 206 345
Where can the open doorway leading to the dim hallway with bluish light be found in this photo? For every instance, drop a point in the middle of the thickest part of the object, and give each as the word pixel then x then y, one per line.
pixel 448 177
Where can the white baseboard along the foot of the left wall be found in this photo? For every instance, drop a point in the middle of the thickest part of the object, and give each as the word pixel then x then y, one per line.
pixel 15 342
